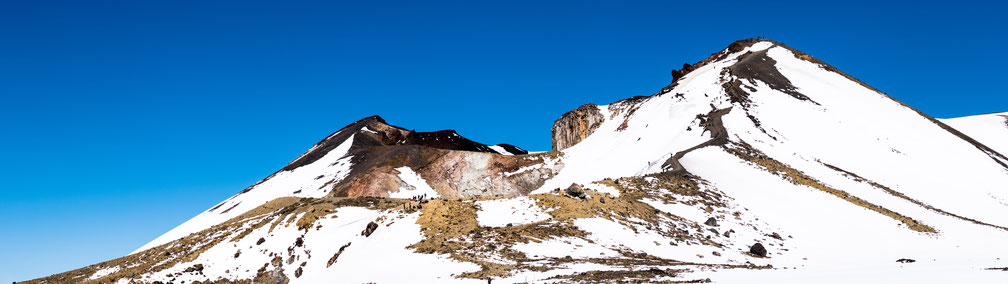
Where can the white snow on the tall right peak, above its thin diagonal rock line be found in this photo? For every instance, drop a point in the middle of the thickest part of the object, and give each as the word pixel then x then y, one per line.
pixel 844 125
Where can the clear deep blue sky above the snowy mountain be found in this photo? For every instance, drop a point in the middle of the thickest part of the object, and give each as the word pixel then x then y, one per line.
pixel 121 120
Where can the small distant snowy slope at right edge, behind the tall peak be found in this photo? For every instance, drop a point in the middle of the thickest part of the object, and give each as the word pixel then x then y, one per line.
pixel 990 129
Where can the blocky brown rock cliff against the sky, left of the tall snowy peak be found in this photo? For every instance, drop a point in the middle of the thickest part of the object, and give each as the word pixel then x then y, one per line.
pixel 576 125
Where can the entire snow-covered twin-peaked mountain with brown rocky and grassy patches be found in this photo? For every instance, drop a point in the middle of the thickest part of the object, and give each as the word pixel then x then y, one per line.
pixel 760 164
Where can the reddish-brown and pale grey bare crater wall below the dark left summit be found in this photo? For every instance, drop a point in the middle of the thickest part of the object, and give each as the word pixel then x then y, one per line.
pixel 452 174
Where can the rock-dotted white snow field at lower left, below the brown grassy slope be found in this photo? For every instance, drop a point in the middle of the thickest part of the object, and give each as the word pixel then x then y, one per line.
pixel 382 257
